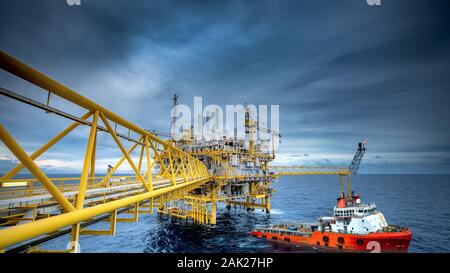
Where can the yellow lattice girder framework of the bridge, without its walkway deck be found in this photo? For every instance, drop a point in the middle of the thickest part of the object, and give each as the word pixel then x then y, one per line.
pixel 182 180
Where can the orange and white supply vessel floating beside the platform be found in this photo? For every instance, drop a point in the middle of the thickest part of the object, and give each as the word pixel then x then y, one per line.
pixel 354 227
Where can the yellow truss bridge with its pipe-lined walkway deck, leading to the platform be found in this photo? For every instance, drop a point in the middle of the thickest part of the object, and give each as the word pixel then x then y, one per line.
pixel 45 205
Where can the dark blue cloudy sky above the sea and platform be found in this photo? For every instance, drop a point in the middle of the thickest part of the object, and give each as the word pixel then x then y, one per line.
pixel 340 71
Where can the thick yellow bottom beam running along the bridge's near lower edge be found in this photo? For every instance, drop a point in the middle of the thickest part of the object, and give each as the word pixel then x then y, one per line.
pixel 17 234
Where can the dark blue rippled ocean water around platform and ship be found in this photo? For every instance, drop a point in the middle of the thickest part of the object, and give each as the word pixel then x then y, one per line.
pixel 421 202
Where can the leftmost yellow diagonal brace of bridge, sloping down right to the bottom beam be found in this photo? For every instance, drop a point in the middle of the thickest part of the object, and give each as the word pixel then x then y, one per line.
pixel 22 156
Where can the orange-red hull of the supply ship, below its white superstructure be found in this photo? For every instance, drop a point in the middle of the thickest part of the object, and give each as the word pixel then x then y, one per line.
pixel 374 242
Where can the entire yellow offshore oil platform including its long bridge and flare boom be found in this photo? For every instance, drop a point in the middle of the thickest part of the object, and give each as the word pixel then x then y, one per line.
pixel 183 178
